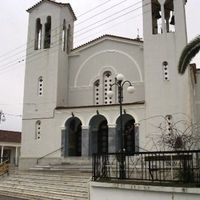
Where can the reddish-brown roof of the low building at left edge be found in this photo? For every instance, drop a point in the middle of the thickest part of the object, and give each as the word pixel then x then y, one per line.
pixel 10 136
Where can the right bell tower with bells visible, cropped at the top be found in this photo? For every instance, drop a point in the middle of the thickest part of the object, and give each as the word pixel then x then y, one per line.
pixel 166 92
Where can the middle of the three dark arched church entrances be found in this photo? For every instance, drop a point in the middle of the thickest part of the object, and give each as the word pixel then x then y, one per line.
pixel 98 131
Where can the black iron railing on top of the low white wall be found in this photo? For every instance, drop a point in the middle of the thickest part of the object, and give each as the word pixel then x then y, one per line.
pixel 168 166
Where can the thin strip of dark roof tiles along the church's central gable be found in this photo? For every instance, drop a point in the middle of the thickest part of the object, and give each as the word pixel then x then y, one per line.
pixel 108 36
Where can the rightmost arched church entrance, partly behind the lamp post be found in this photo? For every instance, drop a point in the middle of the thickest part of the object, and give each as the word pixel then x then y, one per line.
pixel 128 131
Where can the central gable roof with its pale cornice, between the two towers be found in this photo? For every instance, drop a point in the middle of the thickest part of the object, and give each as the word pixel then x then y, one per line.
pixel 107 37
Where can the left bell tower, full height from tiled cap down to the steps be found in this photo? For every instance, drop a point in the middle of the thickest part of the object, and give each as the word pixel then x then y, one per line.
pixel 50 40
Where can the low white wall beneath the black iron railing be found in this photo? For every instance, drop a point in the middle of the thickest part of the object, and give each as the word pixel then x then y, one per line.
pixel 110 191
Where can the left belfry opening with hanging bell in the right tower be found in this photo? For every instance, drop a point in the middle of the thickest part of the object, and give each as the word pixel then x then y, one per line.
pixel 156 17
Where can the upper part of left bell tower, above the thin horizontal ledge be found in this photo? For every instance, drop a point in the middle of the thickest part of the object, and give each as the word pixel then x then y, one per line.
pixel 50 40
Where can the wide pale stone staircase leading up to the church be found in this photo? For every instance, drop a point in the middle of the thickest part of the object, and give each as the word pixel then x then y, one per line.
pixel 49 184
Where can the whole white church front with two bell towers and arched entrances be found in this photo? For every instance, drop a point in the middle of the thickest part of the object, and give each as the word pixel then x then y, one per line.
pixel 67 111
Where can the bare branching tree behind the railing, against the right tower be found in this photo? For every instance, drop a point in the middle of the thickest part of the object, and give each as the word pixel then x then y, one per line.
pixel 176 135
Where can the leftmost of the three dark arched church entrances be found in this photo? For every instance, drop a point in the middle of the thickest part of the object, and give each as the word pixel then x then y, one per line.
pixel 73 141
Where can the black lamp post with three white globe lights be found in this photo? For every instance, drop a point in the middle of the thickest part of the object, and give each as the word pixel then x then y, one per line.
pixel 119 82
